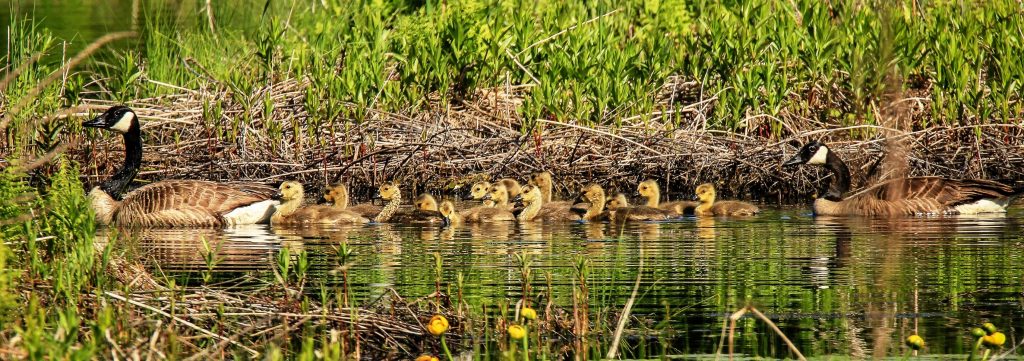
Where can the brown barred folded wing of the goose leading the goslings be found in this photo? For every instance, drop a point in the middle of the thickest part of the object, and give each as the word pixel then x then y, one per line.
pixel 187 203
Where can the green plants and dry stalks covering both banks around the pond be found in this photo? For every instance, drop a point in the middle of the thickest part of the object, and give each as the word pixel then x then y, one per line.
pixel 687 93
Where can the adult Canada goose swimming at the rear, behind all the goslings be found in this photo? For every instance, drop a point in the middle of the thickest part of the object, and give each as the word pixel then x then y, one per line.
pixel 902 197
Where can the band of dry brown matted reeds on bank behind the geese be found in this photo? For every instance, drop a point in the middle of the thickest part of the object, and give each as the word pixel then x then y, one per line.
pixel 442 150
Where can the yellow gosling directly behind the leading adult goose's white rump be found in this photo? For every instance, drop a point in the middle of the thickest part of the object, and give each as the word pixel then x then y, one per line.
pixel 292 212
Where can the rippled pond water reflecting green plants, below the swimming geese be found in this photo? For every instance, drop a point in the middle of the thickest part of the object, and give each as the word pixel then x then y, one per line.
pixel 835 286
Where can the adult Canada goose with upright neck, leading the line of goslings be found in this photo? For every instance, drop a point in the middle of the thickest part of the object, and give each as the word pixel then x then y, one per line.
pixel 170 203
